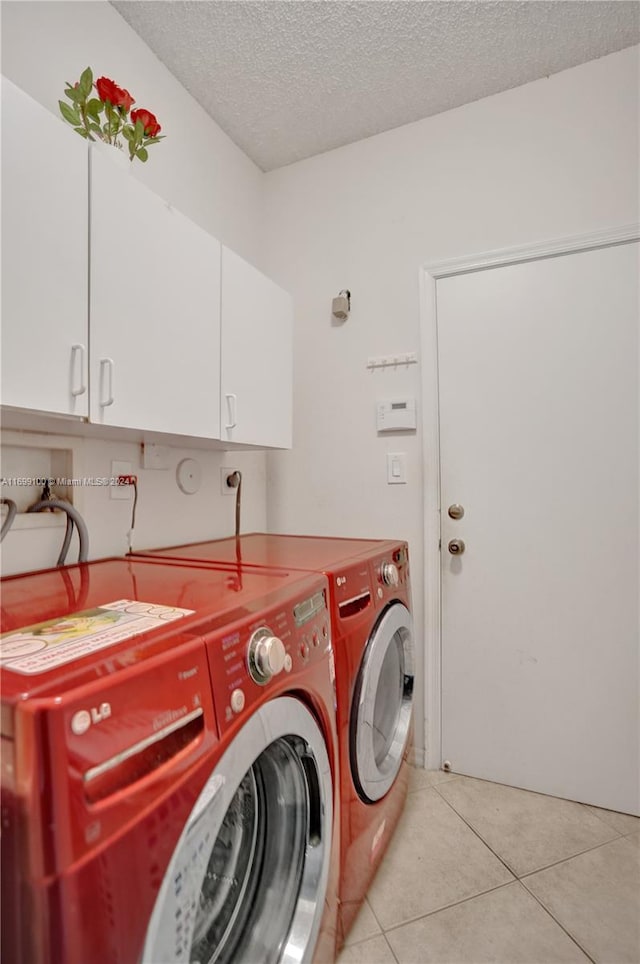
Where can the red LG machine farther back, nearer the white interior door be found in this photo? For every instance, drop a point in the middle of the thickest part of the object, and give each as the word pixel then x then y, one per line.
pixel 370 602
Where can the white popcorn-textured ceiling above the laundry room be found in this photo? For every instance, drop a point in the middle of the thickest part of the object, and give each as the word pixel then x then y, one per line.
pixel 286 79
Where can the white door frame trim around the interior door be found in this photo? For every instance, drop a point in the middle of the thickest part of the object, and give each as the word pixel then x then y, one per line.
pixel 429 274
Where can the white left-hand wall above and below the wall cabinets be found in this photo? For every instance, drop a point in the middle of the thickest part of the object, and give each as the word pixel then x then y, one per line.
pixel 202 173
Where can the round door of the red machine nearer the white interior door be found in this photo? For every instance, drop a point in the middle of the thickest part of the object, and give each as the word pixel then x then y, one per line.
pixel 381 711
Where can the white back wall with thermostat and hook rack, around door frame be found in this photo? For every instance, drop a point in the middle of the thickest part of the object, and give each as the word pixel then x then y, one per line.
pixel 553 158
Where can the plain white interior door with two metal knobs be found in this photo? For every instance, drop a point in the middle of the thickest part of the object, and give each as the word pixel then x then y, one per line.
pixel 538 370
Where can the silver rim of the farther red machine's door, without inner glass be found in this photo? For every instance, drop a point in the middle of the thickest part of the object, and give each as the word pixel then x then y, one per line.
pixel 376 779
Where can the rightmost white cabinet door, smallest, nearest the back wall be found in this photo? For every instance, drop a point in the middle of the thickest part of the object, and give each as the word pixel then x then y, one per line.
pixel 257 363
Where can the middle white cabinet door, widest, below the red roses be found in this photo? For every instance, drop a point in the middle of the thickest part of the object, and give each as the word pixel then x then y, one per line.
pixel 154 313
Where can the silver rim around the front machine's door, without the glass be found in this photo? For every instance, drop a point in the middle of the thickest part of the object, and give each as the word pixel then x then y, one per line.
pixel 281 718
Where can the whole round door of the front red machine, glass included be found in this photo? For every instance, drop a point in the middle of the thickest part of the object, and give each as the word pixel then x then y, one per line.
pixel 248 878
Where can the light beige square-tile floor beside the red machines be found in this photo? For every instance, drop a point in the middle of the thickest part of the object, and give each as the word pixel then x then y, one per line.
pixel 478 872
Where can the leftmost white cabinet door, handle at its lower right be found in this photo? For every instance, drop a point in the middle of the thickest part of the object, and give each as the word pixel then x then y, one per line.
pixel 44 258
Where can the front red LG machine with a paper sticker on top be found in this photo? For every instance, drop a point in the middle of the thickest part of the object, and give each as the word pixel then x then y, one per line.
pixel 169 766
